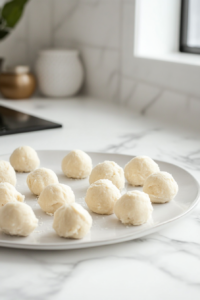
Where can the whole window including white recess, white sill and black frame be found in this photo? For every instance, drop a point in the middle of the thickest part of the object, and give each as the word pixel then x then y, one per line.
pixel 157 31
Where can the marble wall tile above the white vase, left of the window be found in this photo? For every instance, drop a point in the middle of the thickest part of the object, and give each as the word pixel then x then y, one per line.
pixel 91 23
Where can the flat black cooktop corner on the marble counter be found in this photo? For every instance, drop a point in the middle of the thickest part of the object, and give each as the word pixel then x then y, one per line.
pixel 13 121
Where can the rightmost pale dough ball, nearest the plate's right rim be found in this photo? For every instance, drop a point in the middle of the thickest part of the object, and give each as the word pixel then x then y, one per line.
pixel 161 187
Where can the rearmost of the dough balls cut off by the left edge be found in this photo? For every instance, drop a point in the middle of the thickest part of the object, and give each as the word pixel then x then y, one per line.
pixel 7 173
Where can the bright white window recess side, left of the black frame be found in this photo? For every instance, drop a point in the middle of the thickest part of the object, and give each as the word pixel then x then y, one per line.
pixel 157 27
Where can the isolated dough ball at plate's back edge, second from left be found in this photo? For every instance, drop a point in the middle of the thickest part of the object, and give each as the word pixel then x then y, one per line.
pixel 77 164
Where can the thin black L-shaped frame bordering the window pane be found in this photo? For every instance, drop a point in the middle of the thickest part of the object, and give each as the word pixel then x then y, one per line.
pixel 184 29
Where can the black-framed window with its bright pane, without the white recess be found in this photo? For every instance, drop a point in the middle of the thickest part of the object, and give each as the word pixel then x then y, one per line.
pixel 190 26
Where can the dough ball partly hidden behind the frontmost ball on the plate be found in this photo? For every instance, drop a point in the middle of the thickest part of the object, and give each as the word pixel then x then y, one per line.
pixel 54 196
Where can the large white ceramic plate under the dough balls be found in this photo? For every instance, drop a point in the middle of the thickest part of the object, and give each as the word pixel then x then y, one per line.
pixel 106 229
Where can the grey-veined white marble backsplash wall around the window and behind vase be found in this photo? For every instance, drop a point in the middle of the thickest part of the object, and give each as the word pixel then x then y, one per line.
pixel 103 32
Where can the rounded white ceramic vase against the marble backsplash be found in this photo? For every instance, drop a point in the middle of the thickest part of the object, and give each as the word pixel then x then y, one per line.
pixel 59 72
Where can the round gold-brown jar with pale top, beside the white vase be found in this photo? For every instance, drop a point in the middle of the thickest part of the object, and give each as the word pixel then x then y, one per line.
pixel 17 83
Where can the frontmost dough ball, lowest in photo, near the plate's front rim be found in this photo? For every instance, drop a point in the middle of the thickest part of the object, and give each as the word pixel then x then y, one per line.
pixel 72 221
